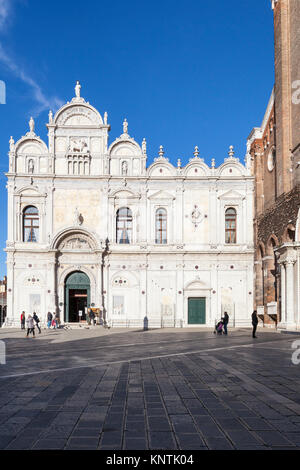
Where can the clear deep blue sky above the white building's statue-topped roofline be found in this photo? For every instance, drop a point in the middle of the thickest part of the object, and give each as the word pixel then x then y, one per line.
pixel 182 73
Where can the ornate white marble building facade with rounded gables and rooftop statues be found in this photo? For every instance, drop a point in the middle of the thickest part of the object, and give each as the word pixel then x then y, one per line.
pixel 76 186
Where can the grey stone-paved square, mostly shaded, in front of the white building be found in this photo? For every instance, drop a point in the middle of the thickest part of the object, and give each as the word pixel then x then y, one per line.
pixel 162 389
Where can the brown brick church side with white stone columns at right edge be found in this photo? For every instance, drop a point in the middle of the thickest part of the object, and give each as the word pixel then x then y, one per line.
pixel 275 153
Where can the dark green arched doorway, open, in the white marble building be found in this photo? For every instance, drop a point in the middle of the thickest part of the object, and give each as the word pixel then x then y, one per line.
pixel 77 297
